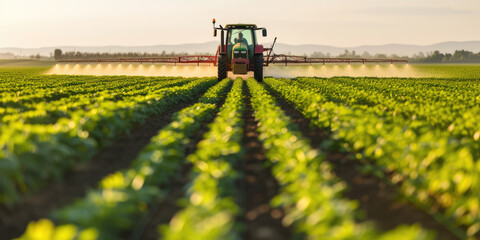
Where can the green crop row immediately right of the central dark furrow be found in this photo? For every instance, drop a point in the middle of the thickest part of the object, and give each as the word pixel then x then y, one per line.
pixel 310 193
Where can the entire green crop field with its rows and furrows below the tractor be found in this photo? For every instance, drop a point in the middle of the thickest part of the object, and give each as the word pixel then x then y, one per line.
pixel 135 157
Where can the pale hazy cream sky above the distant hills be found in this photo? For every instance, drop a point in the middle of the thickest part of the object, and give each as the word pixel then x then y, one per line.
pixel 343 23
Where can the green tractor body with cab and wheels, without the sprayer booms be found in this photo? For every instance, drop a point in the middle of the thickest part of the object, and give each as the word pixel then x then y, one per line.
pixel 239 52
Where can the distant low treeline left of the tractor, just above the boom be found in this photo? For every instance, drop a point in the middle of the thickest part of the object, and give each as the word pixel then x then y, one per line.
pixel 59 55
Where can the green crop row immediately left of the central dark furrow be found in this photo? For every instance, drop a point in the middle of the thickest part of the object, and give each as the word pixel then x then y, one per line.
pixel 211 210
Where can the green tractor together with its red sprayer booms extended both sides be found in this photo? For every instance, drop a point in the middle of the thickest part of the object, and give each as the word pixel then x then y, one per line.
pixel 238 52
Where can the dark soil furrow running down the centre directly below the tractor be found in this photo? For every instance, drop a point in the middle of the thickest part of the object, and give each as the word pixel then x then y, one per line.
pixel 262 221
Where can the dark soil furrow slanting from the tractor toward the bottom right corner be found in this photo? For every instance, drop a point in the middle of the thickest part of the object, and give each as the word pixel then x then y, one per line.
pixel 378 201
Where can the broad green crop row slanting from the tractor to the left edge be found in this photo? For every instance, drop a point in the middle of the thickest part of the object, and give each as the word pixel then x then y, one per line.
pixel 34 153
